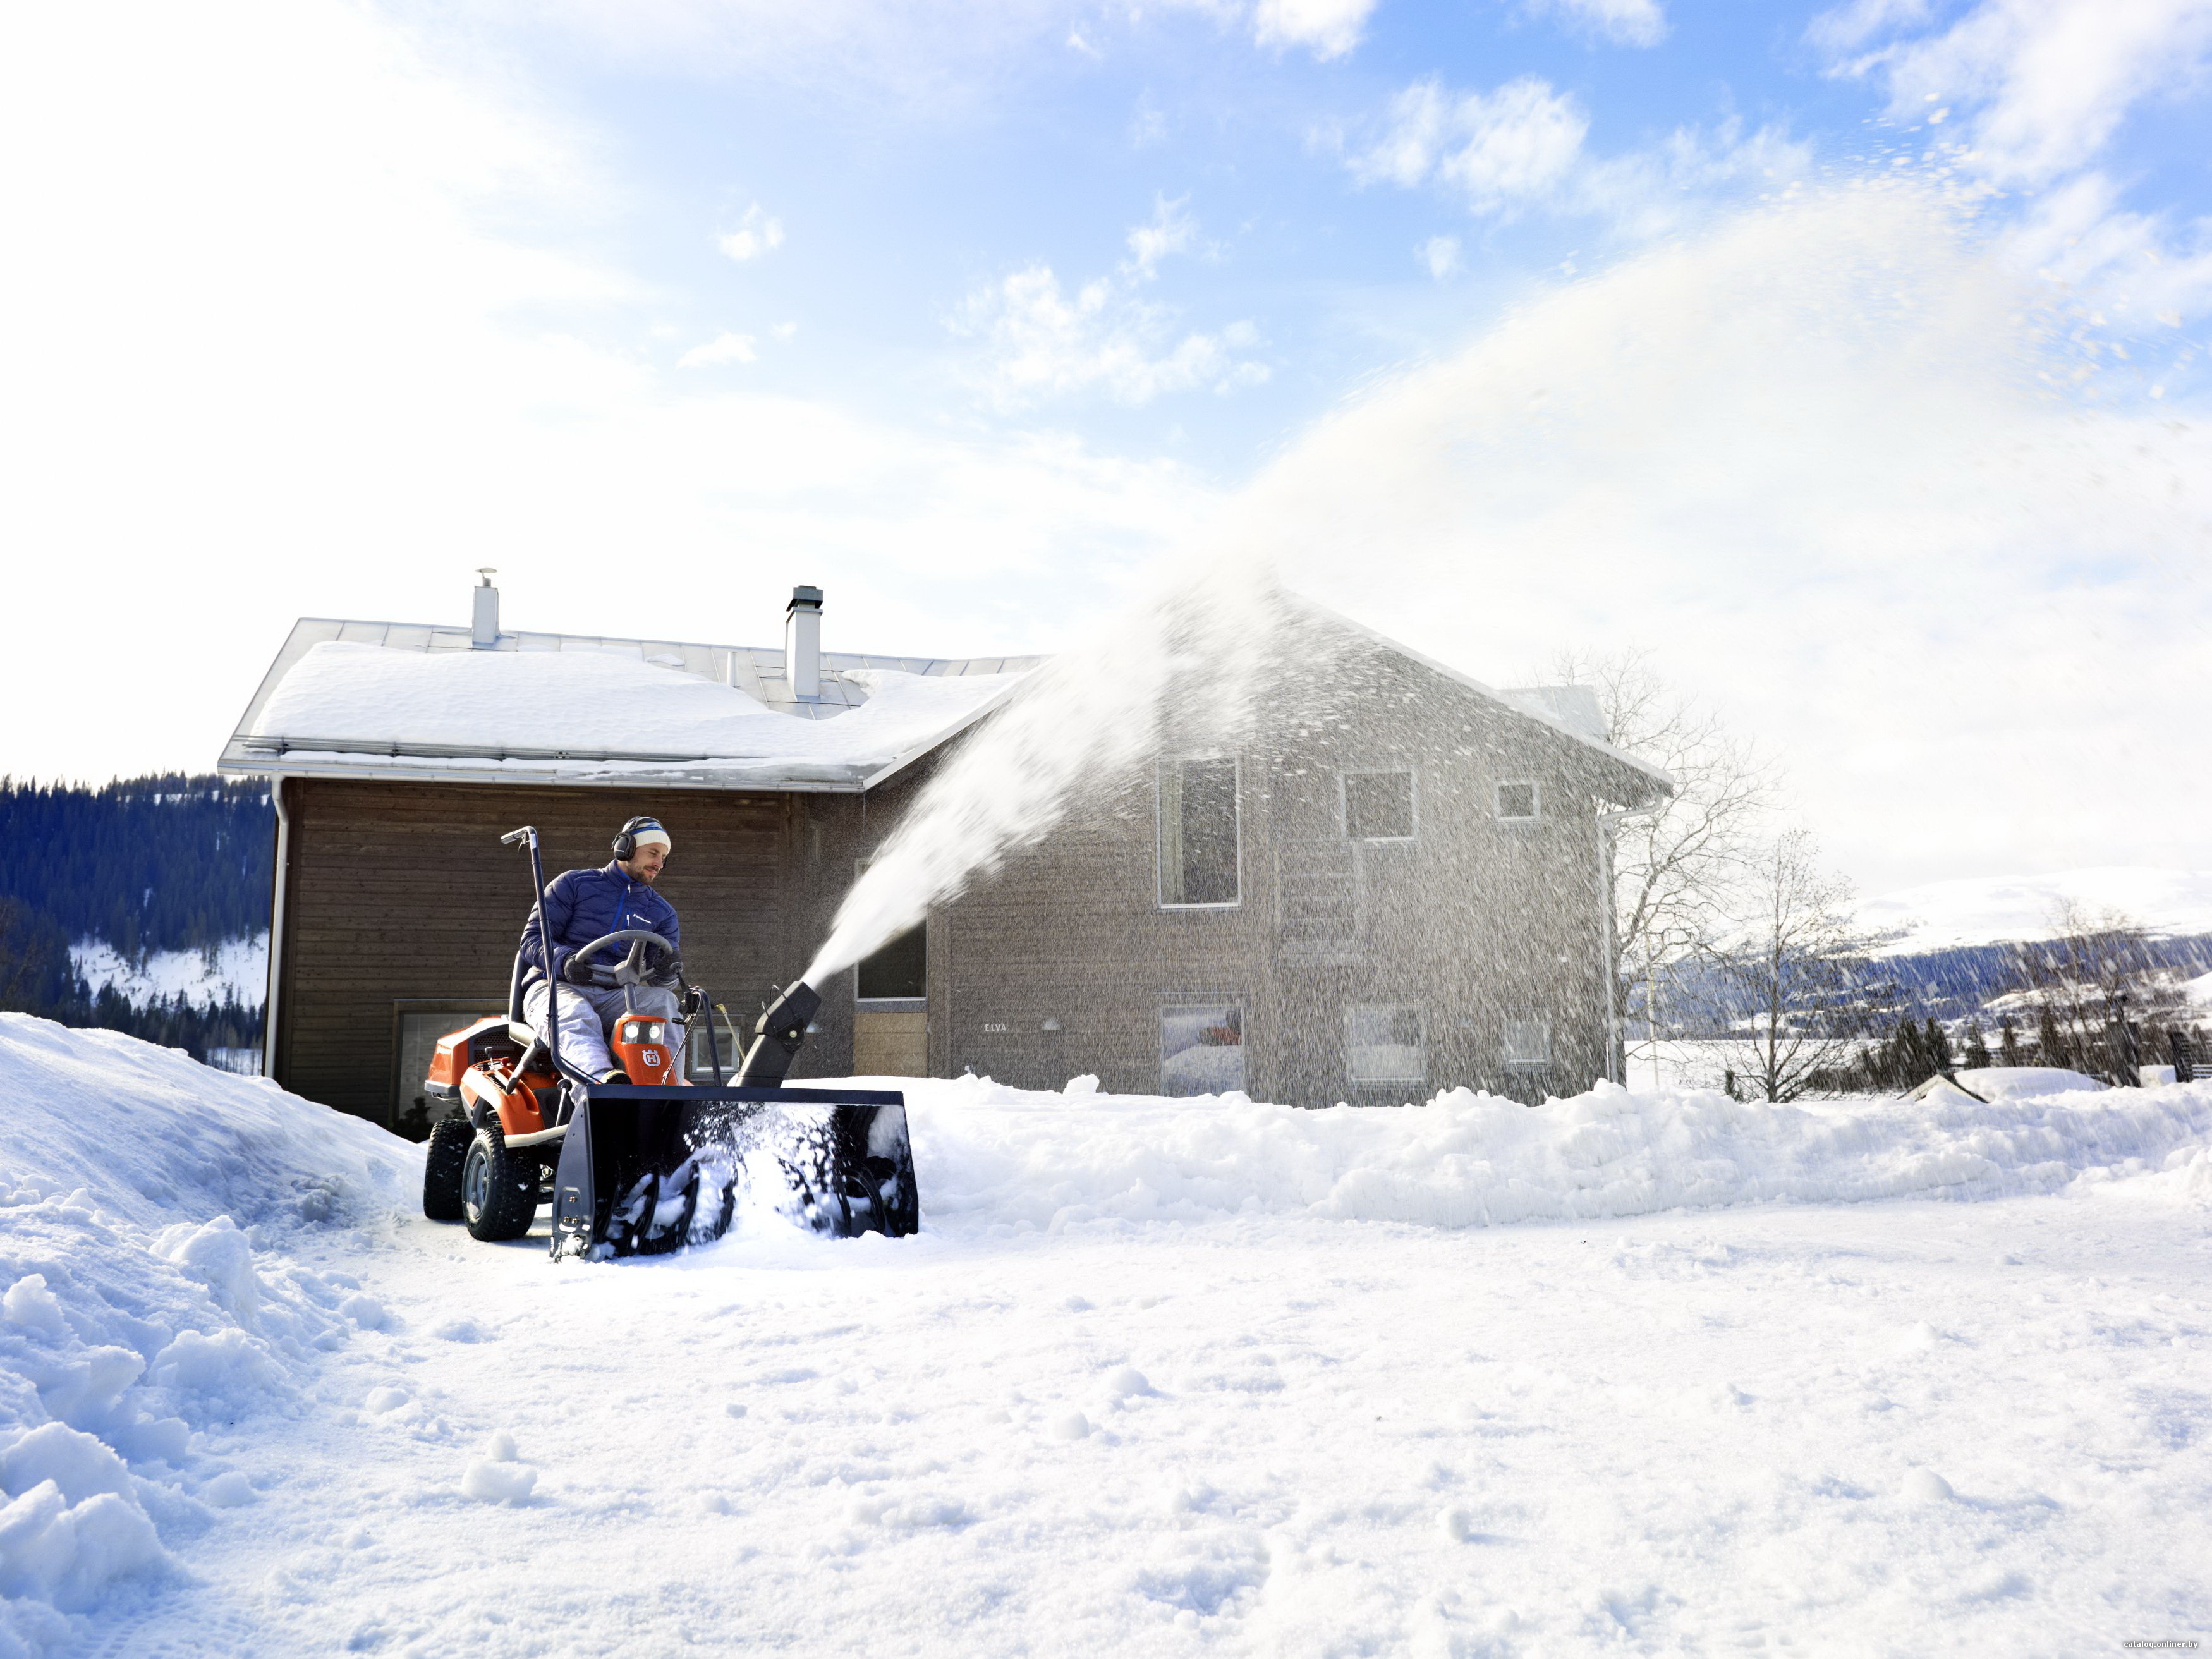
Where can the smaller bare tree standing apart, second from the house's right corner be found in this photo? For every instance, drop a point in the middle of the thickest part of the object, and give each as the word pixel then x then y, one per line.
pixel 1784 981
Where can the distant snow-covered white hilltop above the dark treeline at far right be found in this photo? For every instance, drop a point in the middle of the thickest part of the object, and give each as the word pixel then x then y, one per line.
pixel 1992 910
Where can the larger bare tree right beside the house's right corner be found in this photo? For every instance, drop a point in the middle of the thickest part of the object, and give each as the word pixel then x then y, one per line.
pixel 1673 868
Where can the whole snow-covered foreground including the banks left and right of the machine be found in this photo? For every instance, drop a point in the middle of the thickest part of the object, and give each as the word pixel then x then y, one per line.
pixel 1158 1377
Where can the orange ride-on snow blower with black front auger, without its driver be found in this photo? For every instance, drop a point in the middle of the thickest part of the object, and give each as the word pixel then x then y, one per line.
pixel 656 1162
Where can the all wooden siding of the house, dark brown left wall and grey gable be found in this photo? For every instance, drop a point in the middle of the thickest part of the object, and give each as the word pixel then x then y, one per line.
pixel 1061 959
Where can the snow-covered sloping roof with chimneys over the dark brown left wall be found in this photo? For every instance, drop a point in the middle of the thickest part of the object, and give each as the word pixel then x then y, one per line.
pixel 419 702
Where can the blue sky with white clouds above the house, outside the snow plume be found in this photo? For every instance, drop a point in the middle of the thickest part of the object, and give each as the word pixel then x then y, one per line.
pixel 972 313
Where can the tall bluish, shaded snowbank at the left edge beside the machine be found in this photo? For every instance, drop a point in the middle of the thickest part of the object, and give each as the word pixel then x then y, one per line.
pixel 145 1297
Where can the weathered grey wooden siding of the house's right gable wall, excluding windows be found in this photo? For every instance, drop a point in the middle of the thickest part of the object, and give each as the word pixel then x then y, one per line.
pixel 1472 921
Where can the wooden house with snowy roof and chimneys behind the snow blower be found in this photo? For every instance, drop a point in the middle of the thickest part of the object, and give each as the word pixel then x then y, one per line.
pixel 1386 884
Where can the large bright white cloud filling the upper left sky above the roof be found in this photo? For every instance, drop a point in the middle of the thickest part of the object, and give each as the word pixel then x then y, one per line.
pixel 169 430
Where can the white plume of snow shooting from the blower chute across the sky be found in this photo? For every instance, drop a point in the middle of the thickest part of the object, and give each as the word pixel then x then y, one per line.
pixel 1828 452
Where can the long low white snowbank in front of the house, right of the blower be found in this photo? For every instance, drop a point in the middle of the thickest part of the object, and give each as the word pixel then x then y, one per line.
pixel 1010 1160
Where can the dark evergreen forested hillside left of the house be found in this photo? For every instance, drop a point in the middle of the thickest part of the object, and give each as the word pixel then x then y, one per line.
pixel 163 864
